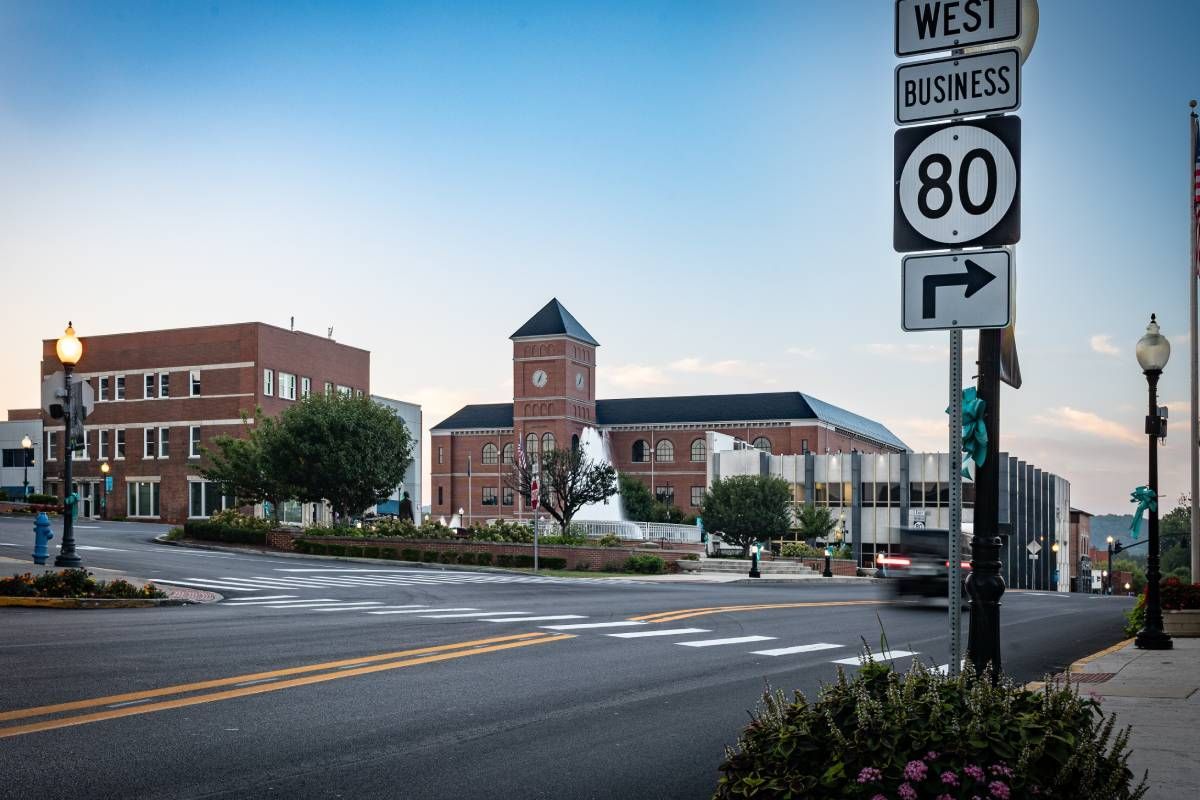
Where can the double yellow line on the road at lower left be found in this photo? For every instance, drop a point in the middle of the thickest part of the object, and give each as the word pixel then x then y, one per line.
pixel 249 684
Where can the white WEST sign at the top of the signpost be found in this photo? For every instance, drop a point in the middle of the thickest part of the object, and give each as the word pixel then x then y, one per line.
pixel 932 26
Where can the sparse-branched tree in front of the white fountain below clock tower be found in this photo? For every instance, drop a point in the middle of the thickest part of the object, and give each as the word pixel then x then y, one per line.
pixel 567 482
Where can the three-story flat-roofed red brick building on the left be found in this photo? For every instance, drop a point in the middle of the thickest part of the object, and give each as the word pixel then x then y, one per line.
pixel 164 395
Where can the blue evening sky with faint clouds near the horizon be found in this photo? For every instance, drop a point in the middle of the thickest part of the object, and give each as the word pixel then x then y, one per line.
pixel 706 187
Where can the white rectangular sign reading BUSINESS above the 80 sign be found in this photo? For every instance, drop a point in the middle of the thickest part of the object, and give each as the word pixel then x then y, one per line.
pixel 958 87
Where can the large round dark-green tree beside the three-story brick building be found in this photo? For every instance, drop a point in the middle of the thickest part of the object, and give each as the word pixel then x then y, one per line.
pixel 349 452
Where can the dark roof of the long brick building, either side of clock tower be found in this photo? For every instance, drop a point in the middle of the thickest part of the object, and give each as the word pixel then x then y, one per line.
pixel 697 408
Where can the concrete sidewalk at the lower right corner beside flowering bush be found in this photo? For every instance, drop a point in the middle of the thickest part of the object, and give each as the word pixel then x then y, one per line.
pixel 1157 693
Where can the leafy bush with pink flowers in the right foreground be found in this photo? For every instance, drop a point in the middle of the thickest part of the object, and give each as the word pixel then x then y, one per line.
pixel 886 736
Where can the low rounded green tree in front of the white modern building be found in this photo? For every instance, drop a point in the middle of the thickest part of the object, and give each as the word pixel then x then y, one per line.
pixel 748 508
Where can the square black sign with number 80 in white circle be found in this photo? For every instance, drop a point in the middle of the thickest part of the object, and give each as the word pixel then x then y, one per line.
pixel 958 185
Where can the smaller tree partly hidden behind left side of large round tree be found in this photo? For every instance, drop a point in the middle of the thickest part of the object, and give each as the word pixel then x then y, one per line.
pixel 239 466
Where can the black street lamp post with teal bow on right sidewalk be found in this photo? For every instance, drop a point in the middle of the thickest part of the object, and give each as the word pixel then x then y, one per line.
pixel 1154 352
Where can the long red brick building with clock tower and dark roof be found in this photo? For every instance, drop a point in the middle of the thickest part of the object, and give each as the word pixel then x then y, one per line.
pixel 659 440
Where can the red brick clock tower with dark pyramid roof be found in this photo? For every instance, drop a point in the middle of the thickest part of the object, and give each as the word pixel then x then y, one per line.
pixel 554 380
